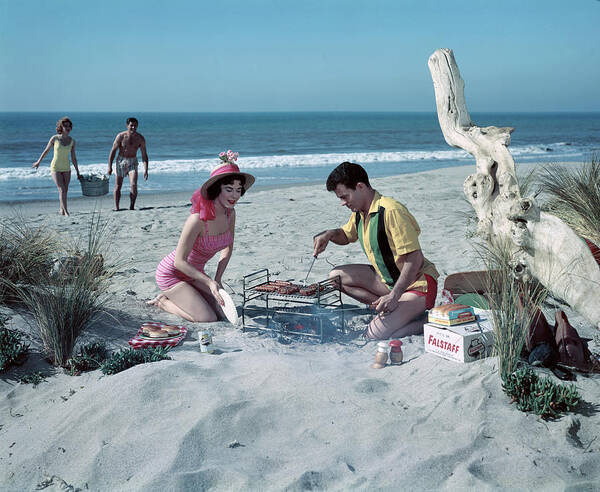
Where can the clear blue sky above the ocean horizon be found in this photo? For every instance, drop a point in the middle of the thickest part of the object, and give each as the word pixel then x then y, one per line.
pixel 295 55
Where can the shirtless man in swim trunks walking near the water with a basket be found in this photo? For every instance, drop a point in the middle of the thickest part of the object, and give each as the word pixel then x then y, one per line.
pixel 128 143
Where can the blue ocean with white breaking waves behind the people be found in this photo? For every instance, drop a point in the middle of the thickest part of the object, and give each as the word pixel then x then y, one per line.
pixel 278 148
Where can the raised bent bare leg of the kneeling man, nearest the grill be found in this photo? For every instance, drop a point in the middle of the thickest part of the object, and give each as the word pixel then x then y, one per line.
pixel 360 282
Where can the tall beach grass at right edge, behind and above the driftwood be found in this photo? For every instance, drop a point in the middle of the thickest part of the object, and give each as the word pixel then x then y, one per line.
pixel 573 195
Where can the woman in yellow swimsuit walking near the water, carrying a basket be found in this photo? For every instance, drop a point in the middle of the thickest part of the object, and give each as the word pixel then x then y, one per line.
pixel 60 167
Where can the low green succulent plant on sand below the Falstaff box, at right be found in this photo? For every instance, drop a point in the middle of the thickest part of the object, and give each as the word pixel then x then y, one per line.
pixel 540 395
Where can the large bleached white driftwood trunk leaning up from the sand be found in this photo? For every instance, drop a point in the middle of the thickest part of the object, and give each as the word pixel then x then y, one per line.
pixel 544 246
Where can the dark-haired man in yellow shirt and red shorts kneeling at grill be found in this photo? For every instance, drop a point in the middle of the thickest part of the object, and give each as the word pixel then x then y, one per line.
pixel 400 283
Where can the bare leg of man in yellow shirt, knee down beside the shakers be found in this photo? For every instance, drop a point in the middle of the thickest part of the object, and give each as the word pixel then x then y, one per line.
pixel 402 321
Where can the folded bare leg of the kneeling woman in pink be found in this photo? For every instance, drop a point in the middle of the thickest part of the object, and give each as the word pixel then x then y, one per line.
pixel 187 302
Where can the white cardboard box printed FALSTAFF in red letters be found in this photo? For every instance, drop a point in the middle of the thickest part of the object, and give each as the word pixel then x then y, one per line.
pixel 462 343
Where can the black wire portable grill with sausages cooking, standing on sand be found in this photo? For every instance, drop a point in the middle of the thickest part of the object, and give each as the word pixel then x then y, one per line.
pixel 313 316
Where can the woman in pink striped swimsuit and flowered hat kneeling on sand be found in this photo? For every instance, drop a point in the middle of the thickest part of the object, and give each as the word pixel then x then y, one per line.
pixel 187 290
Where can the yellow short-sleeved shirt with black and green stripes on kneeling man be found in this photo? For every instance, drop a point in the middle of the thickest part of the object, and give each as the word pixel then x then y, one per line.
pixel 387 233
